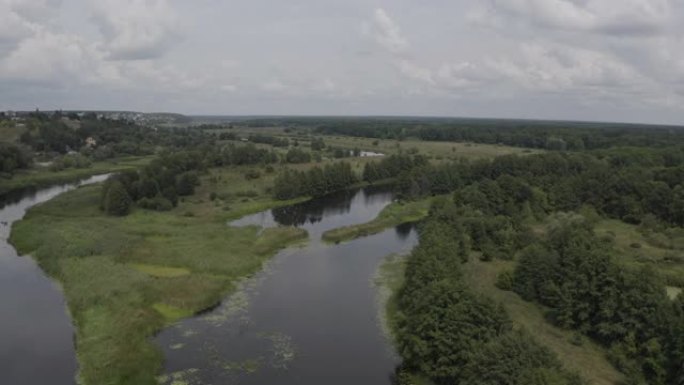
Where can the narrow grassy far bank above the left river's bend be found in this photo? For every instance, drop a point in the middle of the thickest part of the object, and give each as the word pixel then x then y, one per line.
pixel 41 176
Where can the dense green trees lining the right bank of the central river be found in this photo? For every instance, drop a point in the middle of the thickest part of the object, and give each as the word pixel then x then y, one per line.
pixel 452 335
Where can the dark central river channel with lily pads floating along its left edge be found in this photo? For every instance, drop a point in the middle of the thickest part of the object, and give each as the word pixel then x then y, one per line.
pixel 309 318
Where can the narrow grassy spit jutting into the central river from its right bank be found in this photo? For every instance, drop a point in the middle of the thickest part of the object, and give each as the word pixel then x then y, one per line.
pixel 394 214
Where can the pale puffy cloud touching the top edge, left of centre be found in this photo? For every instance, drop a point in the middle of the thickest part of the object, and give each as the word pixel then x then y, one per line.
pixel 137 29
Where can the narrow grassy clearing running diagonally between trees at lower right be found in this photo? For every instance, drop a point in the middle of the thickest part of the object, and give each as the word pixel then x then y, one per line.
pixel 587 359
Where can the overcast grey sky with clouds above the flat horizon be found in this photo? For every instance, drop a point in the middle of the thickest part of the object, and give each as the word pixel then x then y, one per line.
pixel 604 60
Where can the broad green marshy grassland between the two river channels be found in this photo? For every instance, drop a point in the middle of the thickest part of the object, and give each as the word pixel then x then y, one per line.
pixel 126 278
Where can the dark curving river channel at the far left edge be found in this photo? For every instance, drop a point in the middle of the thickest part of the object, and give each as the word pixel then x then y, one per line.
pixel 36 335
